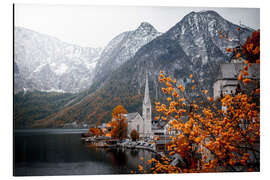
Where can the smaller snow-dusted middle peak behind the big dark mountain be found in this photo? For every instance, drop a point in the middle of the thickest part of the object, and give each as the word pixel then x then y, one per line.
pixel 123 47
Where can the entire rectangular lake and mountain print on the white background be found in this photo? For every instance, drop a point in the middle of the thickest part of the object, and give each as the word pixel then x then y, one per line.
pixel 104 90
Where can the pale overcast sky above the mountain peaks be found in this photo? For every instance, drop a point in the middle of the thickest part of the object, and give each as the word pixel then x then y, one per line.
pixel 95 26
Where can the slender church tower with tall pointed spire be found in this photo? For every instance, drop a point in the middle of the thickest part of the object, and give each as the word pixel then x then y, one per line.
pixel 147 111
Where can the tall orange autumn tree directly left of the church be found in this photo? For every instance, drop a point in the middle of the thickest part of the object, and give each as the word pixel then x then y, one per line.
pixel 119 124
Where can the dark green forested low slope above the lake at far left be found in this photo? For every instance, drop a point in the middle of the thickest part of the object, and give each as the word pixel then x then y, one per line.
pixel 32 106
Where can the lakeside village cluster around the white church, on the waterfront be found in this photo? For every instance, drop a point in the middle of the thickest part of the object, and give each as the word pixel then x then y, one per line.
pixel 141 133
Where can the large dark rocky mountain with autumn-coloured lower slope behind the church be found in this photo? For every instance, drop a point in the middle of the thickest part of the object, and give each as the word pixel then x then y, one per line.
pixel 191 46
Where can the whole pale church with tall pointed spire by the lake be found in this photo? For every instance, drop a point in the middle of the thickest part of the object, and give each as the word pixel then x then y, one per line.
pixel 142 124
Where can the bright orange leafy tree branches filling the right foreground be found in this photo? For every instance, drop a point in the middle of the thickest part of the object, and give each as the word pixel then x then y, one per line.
pixel 211 136
